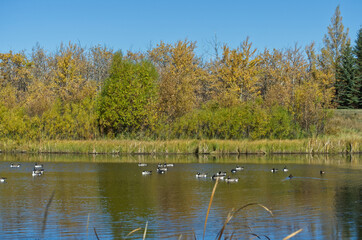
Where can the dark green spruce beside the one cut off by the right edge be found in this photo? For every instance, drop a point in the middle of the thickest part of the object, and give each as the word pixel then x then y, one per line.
pixel 347 89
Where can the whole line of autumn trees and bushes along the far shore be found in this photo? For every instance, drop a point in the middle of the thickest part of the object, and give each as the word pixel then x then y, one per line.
pixel 169 92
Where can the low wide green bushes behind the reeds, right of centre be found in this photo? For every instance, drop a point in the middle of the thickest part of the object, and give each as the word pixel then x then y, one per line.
pixel 246 120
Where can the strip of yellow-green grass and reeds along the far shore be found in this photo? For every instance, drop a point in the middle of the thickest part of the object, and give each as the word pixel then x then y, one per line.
pixel 345 136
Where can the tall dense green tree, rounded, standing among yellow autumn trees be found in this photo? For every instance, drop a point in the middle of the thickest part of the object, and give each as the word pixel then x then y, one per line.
pixel 127 100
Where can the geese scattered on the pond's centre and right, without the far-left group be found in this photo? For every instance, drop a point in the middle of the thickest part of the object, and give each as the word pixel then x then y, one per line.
pixel 162 168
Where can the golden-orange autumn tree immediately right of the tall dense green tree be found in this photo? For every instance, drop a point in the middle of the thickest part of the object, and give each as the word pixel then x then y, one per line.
pixel 180 75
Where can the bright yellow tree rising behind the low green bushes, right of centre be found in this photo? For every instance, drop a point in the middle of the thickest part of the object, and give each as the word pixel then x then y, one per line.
pixel 236 75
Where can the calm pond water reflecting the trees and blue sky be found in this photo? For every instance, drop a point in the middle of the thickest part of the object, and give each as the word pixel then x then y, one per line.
pixel 109 194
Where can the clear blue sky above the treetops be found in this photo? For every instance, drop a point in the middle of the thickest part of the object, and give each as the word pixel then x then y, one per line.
pixel 138 24
